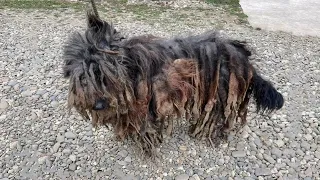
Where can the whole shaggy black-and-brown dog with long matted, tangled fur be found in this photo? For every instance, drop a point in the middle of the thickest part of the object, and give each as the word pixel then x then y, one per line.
pixel 142 84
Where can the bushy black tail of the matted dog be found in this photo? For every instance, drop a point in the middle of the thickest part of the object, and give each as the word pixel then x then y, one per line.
pixel 266 96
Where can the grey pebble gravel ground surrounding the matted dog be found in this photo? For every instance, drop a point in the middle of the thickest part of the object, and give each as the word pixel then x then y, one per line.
pixel 40 140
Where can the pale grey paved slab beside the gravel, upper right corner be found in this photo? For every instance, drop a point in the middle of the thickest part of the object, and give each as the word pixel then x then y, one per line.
pixel 299 17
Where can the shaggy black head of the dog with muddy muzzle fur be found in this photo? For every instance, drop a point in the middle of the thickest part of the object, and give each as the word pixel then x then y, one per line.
pixel 92 66
